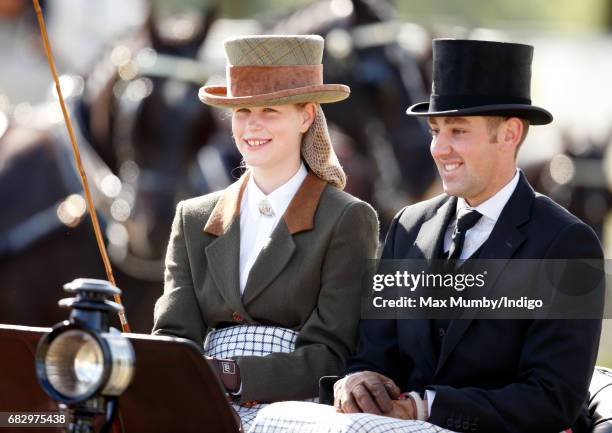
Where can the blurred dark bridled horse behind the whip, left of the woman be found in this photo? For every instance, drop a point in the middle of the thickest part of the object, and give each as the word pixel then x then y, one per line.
pixel 141 130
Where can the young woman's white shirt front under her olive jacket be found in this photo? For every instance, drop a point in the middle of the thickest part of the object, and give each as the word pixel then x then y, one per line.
pixel 255 228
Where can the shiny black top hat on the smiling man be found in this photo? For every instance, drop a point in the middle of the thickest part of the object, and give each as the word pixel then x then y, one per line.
pixel 481 78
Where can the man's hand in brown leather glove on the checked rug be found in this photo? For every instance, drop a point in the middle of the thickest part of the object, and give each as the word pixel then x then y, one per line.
pixel 367 392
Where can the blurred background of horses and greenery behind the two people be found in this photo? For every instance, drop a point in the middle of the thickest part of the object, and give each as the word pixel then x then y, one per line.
pixel 130 74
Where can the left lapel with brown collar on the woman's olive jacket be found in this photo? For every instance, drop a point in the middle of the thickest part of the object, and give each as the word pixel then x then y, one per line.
pixel 223 253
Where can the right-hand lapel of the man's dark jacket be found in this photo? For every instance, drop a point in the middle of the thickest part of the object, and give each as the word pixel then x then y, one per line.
pixel 500 247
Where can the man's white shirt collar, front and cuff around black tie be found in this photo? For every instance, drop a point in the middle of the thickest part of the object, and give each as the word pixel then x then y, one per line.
pixel 490 209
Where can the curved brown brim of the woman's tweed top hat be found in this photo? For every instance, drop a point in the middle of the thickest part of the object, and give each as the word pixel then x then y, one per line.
pixel 322 94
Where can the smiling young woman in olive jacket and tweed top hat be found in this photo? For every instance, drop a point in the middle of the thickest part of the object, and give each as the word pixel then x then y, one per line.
pixel 267 273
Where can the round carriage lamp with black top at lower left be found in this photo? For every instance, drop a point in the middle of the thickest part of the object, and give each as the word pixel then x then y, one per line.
pixel 83 364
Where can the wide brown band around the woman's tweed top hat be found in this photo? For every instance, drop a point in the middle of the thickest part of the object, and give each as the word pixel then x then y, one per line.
pixel 254 80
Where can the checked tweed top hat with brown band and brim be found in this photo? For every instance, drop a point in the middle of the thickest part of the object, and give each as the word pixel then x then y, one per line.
pixel 273 70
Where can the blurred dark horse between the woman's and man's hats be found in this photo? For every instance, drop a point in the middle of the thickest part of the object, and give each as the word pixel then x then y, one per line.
pixel 385 153
